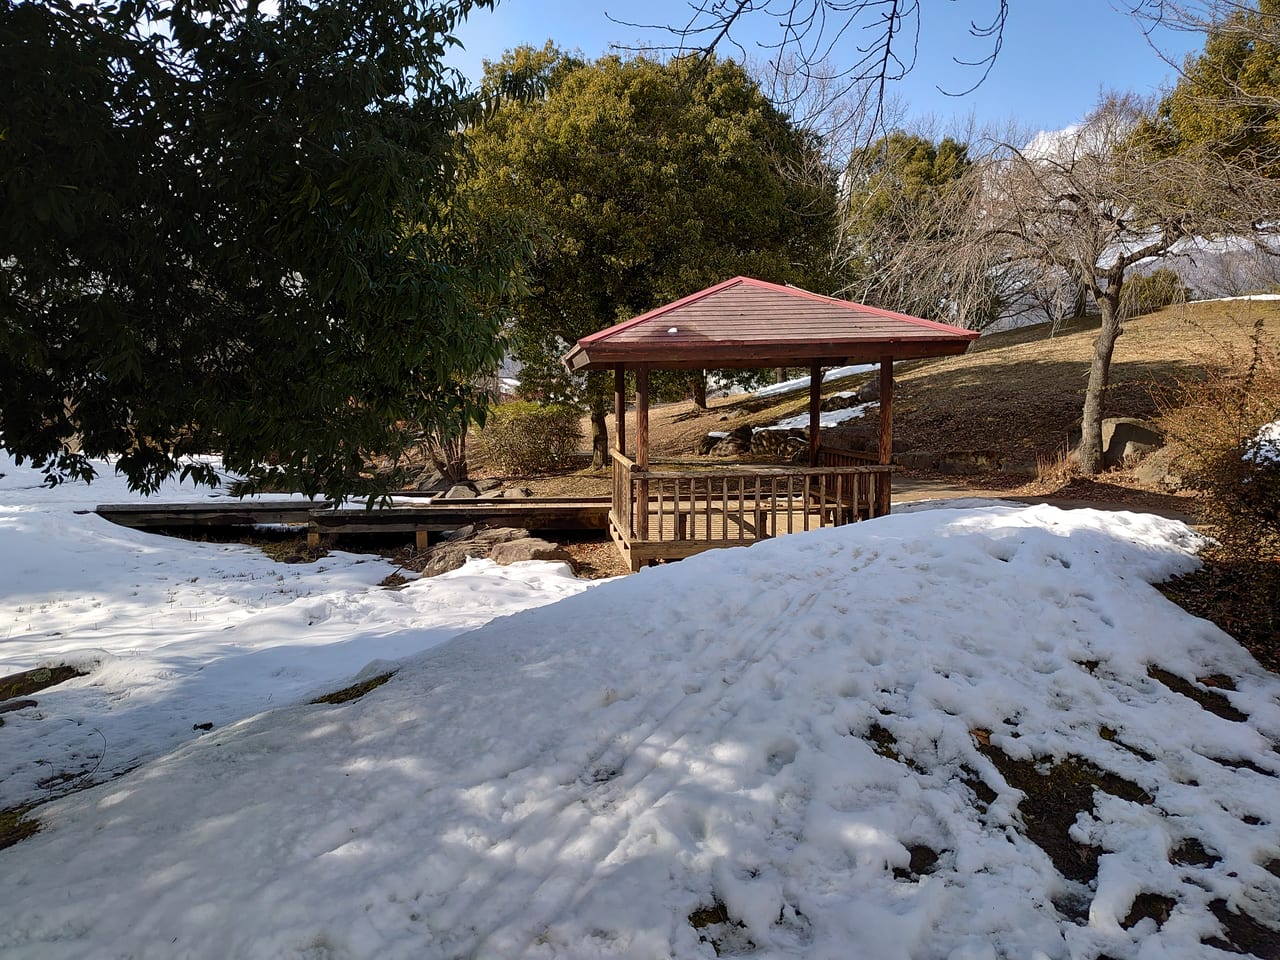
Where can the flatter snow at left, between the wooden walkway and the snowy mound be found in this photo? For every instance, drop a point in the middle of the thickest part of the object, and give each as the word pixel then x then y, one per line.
pixel 177 634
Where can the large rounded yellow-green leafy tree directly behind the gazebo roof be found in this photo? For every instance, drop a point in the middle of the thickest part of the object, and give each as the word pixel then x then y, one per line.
pixel 647 181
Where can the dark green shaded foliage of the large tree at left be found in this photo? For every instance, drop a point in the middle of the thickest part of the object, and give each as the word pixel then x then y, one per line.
pixel 237 232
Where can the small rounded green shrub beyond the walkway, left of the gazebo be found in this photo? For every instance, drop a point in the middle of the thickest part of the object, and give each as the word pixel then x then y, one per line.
pixel 523 437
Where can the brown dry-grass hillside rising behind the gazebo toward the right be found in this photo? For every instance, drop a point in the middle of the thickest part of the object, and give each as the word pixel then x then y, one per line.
pixel 1017 394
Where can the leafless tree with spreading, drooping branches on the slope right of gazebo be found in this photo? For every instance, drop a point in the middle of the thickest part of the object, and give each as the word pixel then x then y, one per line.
pixel 1096 203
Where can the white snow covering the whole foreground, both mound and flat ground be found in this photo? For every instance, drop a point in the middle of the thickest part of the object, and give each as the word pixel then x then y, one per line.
pixel 579 779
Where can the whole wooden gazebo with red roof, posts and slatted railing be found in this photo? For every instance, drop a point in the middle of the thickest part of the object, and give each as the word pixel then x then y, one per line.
pixel 748 323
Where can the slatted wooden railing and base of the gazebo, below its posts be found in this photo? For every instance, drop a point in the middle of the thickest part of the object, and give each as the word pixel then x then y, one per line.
pixel 662 515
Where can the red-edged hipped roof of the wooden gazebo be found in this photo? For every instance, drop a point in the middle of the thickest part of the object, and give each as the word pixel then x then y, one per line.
pixel 744 323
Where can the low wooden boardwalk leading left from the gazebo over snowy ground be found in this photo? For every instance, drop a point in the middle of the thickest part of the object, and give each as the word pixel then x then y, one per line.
pixel 422 520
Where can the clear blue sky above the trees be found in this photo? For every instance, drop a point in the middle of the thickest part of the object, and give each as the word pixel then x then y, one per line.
pixel 1058 54
